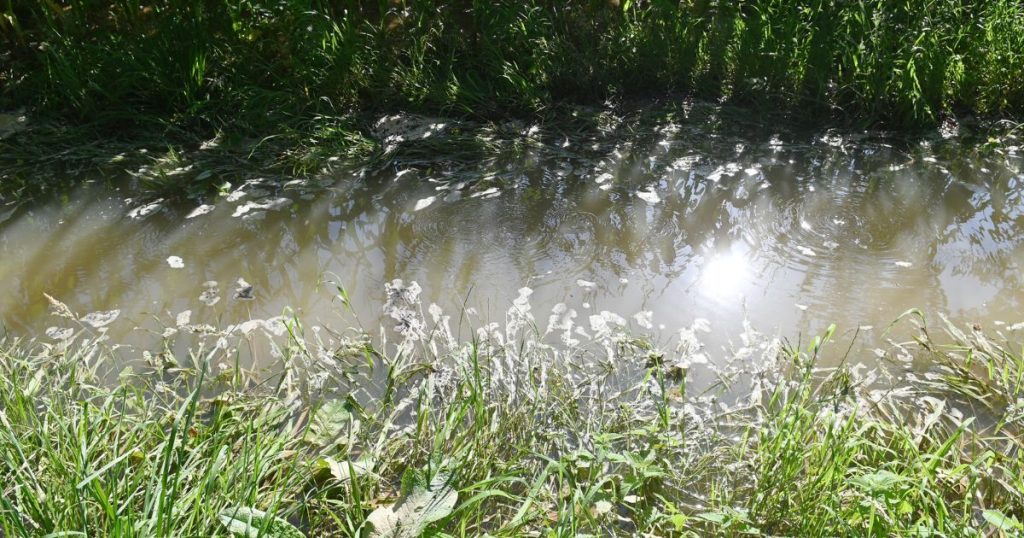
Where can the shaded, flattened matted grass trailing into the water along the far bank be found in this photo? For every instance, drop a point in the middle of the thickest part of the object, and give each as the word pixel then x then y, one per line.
pixel 169 162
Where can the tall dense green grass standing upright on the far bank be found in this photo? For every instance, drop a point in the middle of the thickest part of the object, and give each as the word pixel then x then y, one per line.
pixel 260 63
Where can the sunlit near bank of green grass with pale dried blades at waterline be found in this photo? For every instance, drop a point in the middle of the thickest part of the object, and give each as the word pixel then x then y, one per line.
pixel 506 435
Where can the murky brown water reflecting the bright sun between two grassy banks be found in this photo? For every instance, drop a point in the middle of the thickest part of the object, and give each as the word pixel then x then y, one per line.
pixel 789 230
